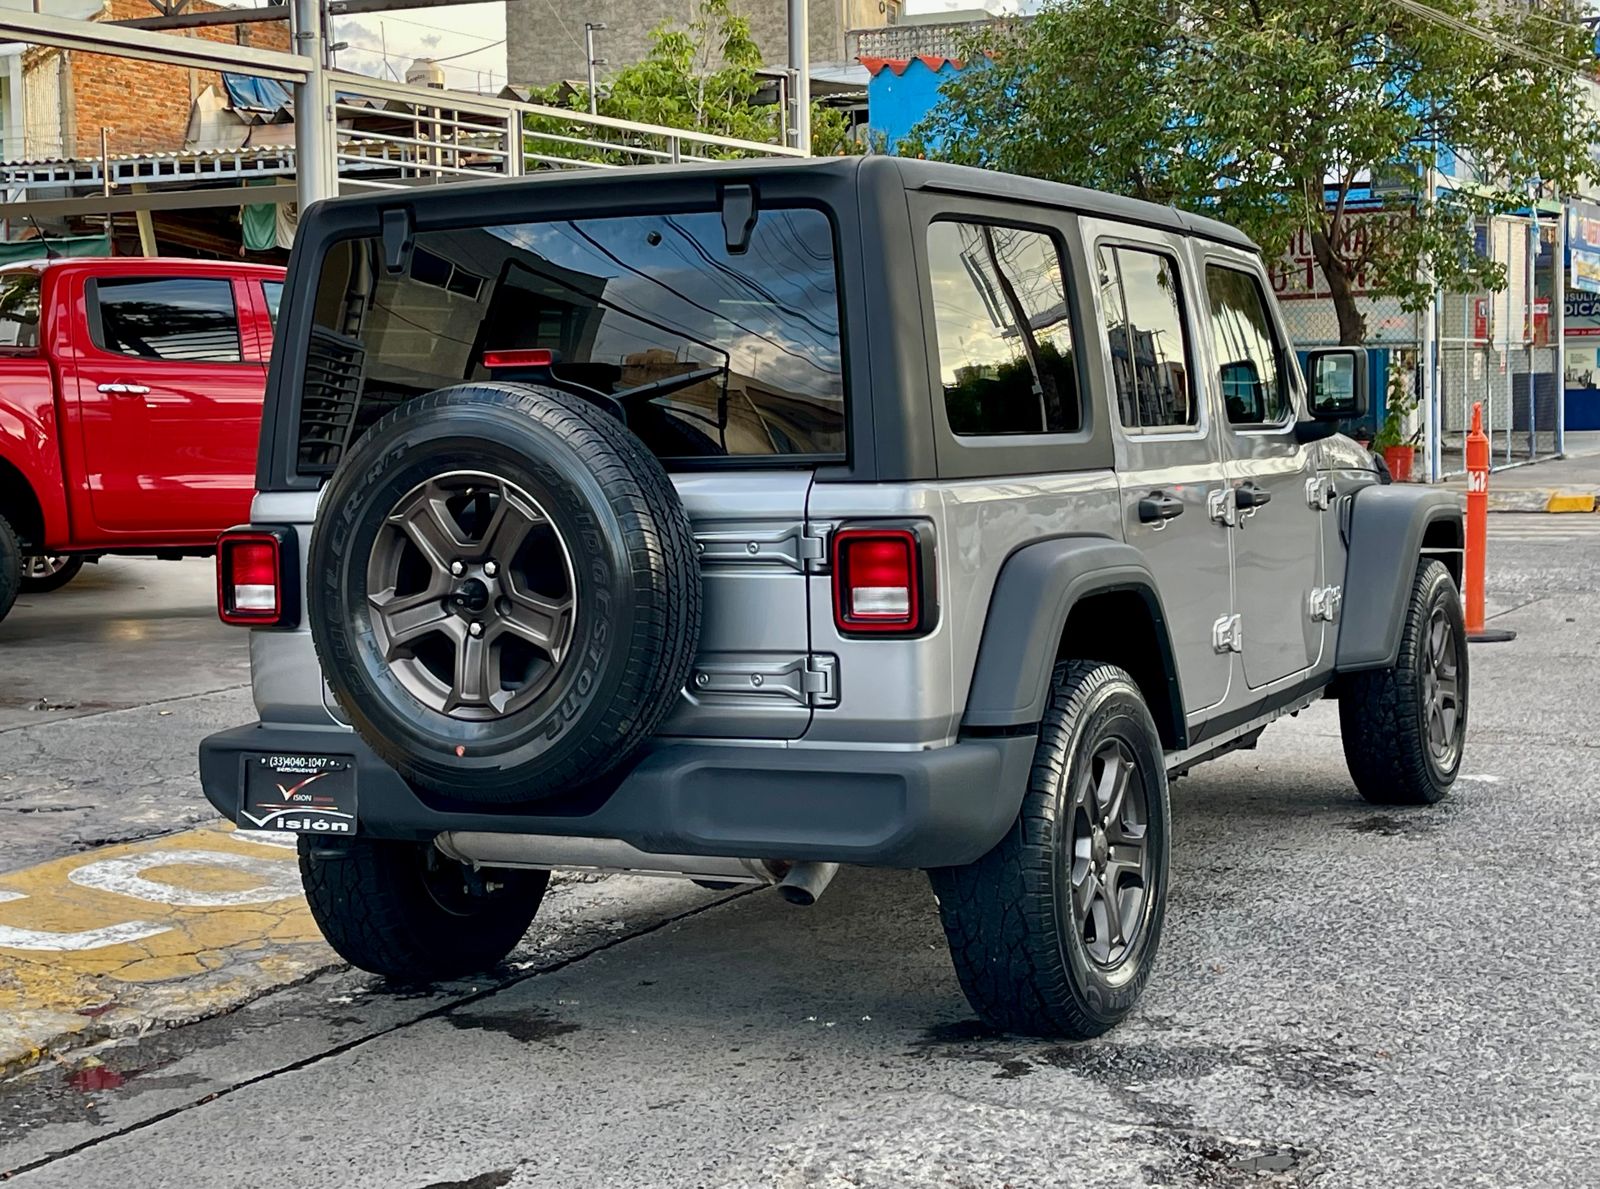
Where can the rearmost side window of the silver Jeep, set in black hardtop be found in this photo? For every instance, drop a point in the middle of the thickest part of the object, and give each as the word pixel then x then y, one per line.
pixel 1004 330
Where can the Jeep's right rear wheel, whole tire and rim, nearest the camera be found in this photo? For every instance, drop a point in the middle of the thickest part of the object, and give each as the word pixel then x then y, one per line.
pixel 1057 929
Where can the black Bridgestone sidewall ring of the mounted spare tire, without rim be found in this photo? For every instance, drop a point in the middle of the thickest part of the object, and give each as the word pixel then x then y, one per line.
pixel 418 742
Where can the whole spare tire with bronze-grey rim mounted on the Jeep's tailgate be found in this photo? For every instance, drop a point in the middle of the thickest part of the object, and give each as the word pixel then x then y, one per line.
pixel 503 591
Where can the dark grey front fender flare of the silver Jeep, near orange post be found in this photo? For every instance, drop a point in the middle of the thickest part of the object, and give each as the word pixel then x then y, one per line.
pixel 1383 529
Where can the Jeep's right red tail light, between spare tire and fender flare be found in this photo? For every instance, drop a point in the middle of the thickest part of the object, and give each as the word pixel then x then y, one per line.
pixel 882 582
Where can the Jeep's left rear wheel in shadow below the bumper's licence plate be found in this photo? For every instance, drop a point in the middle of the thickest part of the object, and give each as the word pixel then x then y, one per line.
pixel 409 913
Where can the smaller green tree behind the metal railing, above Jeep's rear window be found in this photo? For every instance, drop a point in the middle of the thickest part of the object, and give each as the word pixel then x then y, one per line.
pixel 703 78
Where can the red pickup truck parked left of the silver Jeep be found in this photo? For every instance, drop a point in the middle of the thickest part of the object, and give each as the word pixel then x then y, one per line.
pixel 130 406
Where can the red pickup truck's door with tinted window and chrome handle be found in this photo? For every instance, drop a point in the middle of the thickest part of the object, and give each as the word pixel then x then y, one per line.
pixel 169 404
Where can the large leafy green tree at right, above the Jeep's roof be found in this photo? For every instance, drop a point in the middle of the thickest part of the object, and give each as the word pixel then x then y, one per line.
pixel 1271 113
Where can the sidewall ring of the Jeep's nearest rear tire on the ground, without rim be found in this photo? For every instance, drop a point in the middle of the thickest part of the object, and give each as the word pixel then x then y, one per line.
pixel 1114 711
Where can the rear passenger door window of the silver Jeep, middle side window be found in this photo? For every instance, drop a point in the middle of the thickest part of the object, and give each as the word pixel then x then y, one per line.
pixel 1148 340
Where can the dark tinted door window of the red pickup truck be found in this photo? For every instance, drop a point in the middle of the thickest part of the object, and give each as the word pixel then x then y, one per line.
pixel 185 319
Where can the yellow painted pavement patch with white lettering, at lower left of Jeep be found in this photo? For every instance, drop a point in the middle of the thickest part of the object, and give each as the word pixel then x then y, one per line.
pixel 148 935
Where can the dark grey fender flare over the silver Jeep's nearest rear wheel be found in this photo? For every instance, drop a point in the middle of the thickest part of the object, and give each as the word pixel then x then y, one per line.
pixel 1034 594
